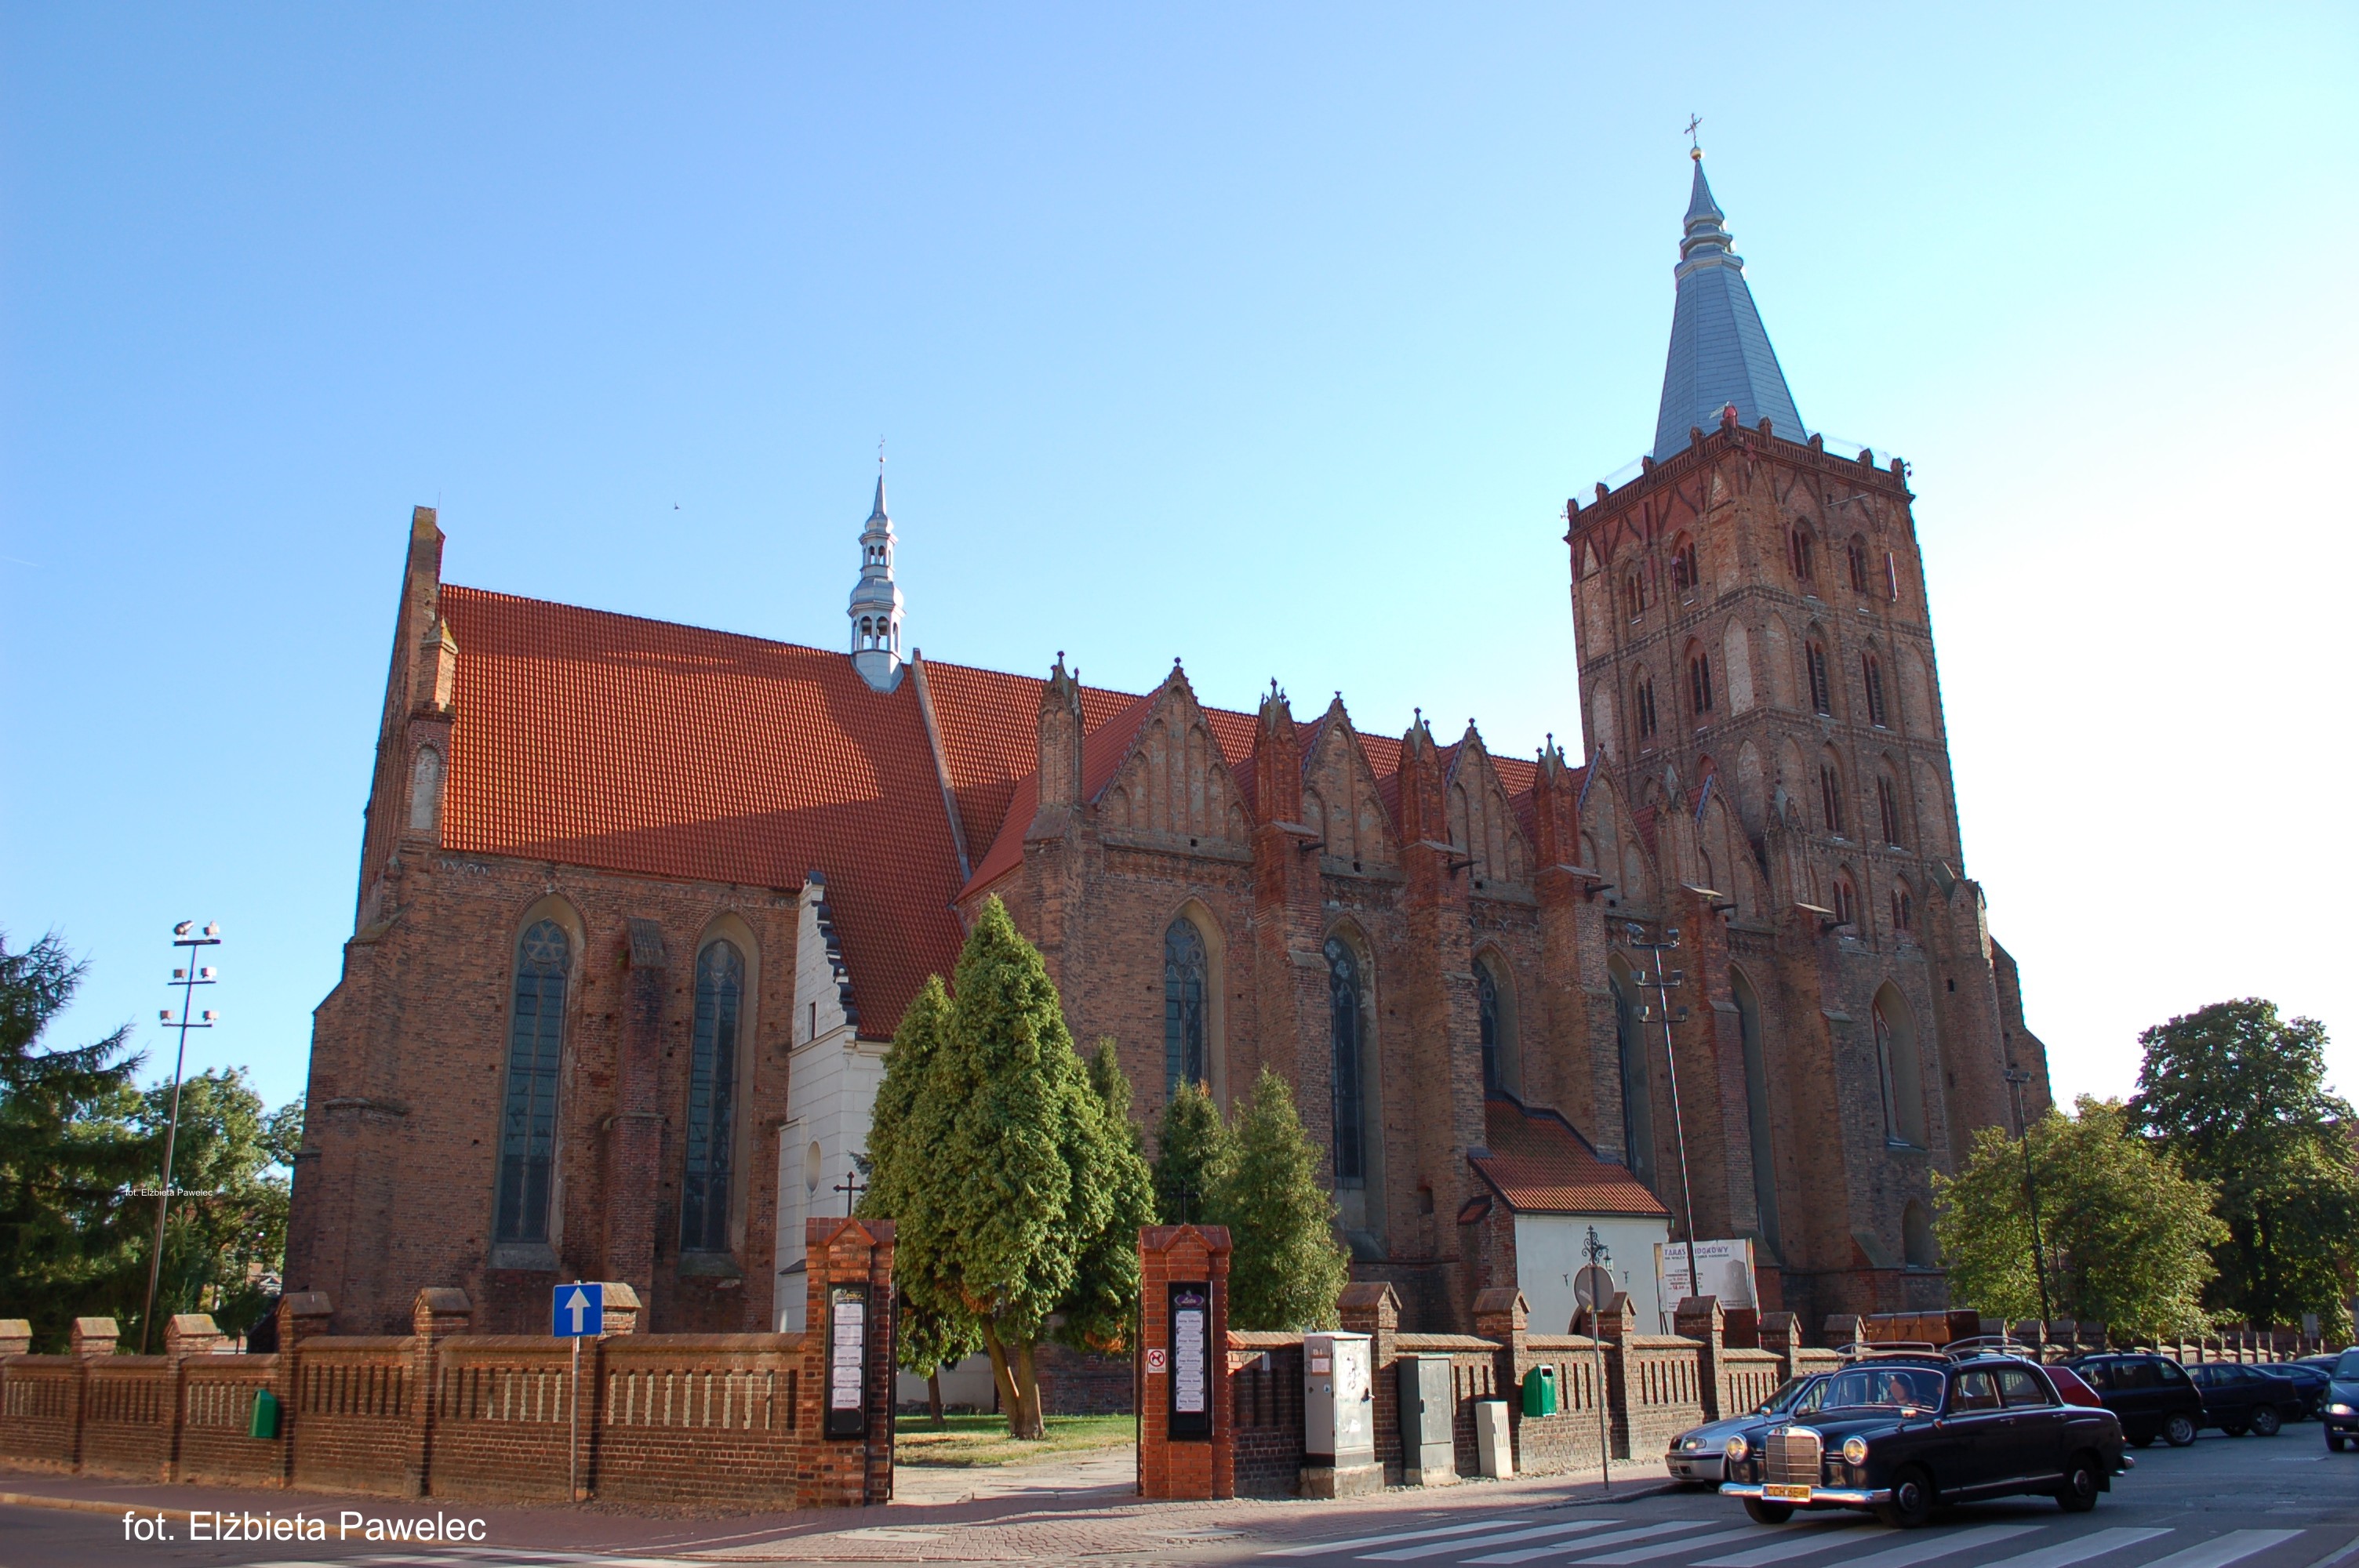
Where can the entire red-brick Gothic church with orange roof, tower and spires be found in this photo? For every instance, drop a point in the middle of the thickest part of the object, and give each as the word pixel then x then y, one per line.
pixel 643 904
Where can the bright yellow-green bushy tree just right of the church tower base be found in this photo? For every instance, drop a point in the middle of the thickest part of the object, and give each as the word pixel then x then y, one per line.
pixel 2127 1232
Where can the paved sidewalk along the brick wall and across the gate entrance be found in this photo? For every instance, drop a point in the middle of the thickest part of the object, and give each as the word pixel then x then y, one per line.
pixel 1058 1510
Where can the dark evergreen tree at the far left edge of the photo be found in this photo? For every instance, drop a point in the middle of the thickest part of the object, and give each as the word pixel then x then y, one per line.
pixel 70 1152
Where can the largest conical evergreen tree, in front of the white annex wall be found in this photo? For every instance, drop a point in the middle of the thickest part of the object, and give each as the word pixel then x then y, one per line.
pixel 1001 1166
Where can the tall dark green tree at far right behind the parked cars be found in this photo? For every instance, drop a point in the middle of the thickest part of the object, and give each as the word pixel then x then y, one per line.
pixel 2240 1098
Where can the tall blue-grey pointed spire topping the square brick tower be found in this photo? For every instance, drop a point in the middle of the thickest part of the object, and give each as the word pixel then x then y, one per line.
pixel 1719 348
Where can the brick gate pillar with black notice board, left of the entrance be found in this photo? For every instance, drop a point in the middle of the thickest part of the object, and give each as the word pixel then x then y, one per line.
pixel 850 1289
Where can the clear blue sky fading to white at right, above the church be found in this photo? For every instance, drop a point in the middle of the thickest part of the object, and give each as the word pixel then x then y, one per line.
pixel 1273 338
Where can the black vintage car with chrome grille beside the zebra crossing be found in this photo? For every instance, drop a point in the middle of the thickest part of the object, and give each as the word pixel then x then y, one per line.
pixel 1900 1435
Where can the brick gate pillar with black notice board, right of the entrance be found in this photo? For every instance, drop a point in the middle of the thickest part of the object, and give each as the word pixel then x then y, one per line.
pixel 1188 1430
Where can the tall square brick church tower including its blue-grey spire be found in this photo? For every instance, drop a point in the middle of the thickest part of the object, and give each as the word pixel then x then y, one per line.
pixel 1759 685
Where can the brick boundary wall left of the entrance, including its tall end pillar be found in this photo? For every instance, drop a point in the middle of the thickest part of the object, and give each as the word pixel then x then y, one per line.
pixel 730 1421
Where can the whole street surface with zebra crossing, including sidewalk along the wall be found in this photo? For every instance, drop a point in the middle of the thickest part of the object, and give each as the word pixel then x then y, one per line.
pixel 2226 1503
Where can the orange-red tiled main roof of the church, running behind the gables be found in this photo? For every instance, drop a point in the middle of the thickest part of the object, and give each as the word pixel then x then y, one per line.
pixel 666 751
